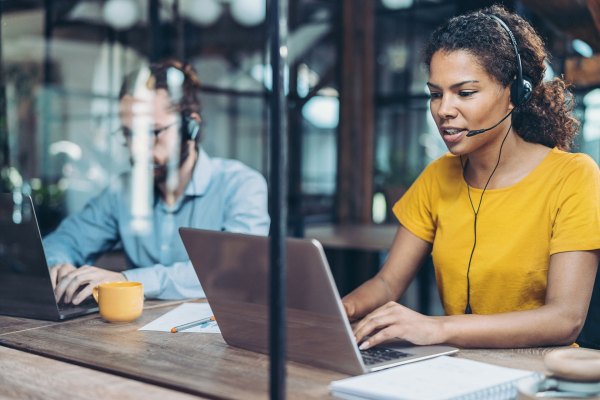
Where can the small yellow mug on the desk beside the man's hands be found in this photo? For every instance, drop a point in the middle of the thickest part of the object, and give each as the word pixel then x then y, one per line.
pixel 119 301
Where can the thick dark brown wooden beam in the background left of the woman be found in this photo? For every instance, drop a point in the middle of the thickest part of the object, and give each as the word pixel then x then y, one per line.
pixel 356 131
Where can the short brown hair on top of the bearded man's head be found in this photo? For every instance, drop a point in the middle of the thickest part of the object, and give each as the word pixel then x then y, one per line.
pixel 190 86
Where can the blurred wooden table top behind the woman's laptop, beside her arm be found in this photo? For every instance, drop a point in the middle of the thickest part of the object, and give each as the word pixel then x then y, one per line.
pixel 368 237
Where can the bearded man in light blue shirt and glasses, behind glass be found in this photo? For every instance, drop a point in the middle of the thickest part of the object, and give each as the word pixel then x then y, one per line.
pixel 198 191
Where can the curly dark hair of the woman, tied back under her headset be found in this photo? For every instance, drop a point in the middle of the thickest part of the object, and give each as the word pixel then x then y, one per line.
pixel 547 118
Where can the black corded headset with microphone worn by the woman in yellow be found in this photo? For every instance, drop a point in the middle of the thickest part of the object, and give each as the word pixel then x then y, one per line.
pixel 520 91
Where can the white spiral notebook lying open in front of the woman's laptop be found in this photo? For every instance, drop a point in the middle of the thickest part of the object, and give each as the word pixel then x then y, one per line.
pixel 440 378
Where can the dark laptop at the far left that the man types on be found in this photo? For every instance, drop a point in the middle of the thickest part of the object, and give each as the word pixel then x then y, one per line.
pixel 25 285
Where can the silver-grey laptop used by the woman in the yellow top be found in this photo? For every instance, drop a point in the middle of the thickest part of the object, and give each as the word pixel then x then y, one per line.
pixel 234 271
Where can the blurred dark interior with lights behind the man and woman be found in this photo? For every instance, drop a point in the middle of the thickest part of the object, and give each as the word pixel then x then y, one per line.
pixel 358 121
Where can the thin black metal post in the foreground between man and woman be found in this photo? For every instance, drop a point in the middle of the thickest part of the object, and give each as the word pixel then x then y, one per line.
pixel 277 32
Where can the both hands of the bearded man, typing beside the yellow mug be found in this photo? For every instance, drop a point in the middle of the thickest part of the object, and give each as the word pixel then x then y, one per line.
pixel 66 280
